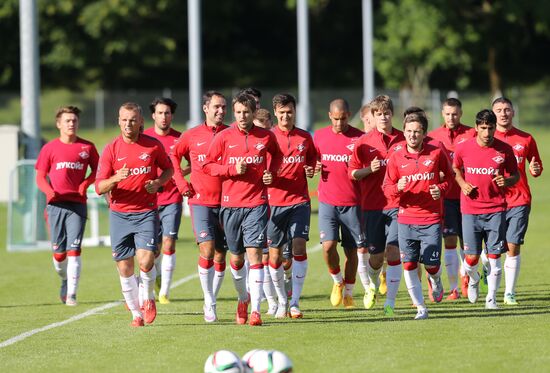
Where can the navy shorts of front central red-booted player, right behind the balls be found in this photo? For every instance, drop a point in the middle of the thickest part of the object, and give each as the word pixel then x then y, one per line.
pixel 244 227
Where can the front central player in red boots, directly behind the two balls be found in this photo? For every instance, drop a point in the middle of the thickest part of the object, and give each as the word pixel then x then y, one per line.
pixel 239 156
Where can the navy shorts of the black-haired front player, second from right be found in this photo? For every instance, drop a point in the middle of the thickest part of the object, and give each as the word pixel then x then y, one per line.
pixel 489 228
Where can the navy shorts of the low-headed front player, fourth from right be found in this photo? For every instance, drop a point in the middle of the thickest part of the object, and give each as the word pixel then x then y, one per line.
pixel 420 243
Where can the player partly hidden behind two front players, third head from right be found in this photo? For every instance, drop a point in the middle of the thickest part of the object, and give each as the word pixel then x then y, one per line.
pixel 451 133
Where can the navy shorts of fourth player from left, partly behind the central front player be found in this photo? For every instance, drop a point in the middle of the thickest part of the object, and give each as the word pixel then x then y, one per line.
pixel 207 225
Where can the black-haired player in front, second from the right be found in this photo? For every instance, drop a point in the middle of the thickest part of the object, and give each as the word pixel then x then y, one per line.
pixel 484 167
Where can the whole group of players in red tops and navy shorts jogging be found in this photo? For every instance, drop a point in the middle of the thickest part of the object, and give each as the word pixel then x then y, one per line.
pixel 388 196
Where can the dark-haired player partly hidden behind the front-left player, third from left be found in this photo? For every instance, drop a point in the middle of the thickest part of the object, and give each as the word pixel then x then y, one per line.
pixel 169 199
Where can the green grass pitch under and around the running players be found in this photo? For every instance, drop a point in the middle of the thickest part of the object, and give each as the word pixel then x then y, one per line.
pixel 457 336
